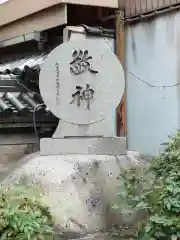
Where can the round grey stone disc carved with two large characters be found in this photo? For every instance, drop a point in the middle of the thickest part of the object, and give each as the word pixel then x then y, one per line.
pixel 81 82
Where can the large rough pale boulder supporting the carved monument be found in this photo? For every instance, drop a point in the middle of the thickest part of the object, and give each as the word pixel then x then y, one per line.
pixel 79 189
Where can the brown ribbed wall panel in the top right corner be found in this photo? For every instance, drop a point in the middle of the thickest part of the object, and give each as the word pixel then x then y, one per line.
pixel 138 7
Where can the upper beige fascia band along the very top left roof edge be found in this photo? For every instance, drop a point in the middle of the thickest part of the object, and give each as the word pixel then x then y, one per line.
pixel 15 9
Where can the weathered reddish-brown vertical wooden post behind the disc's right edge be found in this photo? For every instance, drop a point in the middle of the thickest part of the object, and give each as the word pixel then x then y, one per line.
pixel 120 52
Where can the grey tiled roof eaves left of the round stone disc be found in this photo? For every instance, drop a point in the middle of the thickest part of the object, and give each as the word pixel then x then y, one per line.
pixel 15 100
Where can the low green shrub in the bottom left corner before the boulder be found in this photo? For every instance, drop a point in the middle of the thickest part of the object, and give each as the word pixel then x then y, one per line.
pixel 23 216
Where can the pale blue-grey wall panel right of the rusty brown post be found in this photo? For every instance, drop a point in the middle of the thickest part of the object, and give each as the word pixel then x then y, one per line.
pixel 153 61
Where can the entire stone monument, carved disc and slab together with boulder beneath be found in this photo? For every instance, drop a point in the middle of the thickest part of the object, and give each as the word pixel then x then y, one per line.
pixel 77 169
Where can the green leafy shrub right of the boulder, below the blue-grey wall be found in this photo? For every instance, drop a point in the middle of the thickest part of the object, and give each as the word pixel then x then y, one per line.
pixel 156 191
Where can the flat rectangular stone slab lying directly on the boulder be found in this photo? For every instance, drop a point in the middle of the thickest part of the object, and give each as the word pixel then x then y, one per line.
pixel 94 145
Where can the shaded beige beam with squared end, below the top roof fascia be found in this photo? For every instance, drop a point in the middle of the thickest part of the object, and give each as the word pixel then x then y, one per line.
pixel 39 21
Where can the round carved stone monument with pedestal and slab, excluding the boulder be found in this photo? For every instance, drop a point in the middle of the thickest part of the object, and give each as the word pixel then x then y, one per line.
pixel 82 84
